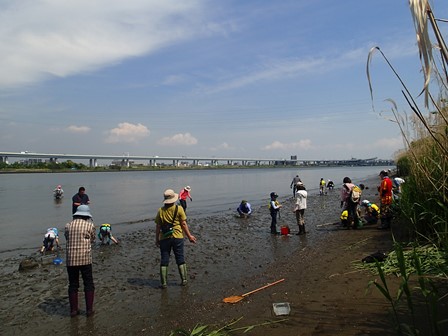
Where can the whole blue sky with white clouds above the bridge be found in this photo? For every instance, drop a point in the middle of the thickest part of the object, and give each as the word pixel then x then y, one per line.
pixel 243 79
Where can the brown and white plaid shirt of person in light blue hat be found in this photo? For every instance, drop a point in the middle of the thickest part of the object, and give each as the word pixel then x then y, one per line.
pixel 79 234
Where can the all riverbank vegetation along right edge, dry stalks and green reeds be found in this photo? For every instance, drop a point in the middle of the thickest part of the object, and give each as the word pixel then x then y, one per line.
pixel 421 262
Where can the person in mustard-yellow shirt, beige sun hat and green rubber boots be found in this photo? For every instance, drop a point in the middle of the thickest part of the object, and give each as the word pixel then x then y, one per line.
pixel 171 225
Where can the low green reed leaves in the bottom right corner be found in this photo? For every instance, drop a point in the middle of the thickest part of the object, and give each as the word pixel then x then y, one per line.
pixel 411 265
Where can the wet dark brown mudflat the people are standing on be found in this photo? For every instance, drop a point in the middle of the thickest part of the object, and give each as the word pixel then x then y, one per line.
pixel 233 256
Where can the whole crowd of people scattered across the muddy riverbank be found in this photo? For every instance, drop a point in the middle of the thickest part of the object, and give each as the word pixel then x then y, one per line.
pixel 172 229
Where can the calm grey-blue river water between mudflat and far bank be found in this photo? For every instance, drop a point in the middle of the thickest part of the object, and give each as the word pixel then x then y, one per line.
pixel 128 199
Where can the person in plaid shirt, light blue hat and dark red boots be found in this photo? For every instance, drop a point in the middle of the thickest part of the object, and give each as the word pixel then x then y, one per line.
pixel 79 235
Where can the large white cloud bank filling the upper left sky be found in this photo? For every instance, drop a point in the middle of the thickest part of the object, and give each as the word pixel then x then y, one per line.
pixel 59 38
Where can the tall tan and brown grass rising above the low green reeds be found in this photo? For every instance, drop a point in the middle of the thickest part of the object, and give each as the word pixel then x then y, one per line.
pixel 424 130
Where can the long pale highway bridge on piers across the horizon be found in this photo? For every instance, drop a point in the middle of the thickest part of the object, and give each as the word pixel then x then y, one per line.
pixel 129 160
